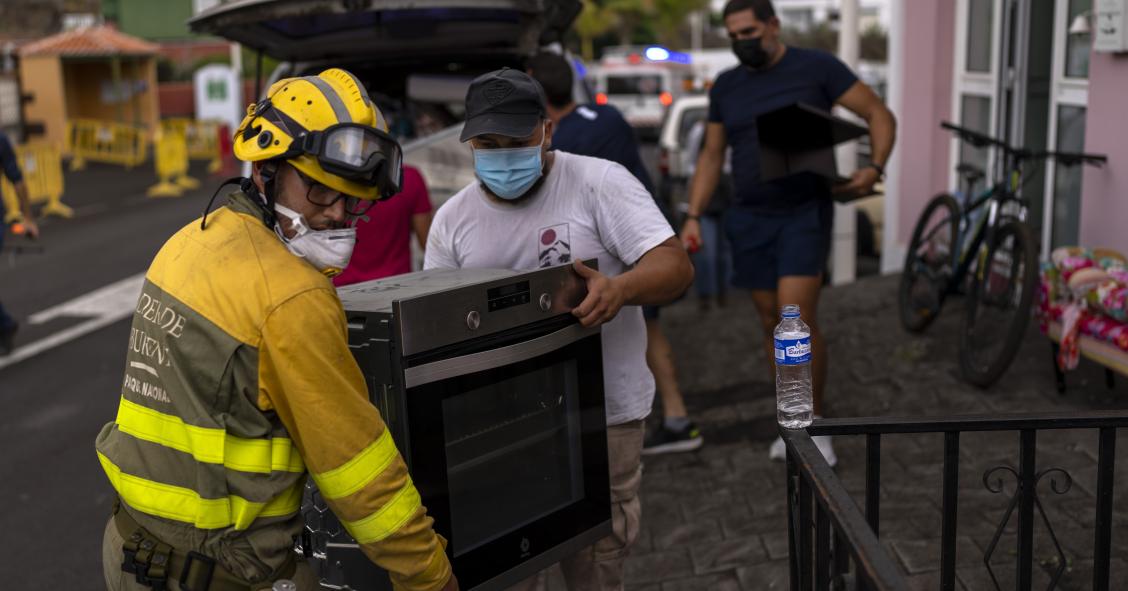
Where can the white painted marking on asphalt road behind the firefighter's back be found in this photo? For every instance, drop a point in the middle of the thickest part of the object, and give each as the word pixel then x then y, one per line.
pixel 105 306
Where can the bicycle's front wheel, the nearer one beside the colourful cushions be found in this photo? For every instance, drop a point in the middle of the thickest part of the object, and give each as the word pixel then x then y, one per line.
pixel 999 305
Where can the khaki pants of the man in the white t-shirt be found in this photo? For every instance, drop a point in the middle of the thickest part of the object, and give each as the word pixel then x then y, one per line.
pixel 600 567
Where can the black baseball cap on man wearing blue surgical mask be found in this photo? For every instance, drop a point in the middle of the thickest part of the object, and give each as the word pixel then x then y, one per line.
pixel 505 102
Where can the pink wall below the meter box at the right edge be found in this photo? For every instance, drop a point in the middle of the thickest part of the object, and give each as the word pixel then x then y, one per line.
pixel 1105 191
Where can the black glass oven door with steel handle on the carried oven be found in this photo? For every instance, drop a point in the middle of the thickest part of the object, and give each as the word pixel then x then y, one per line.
pixel 509 449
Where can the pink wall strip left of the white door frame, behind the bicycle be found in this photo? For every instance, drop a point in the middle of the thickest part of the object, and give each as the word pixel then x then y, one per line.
pixel 930 50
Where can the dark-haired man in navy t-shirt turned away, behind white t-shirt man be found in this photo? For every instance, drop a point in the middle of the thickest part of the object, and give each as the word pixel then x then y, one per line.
pixel 602 133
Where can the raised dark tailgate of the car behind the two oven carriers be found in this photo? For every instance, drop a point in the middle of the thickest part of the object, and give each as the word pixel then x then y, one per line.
pixel 395 31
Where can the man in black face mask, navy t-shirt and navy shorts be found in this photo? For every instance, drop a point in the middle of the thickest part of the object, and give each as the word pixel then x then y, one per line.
pixel 780 231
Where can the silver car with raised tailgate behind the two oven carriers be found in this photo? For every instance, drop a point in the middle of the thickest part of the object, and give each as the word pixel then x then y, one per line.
pixel 415 57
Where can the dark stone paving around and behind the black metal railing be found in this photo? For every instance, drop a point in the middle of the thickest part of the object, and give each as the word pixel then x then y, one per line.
pixel 716 519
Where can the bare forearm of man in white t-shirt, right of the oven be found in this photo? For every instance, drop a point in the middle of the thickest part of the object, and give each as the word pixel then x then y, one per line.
pixel 660 277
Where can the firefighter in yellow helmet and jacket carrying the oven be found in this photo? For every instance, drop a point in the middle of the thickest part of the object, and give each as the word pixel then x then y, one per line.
pixel 240 382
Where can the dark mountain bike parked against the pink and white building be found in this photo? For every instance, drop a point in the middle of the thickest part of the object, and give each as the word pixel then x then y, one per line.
pixel 993 253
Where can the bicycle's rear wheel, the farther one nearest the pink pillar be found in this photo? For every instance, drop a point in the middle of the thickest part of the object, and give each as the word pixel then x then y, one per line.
pixel 929 263
